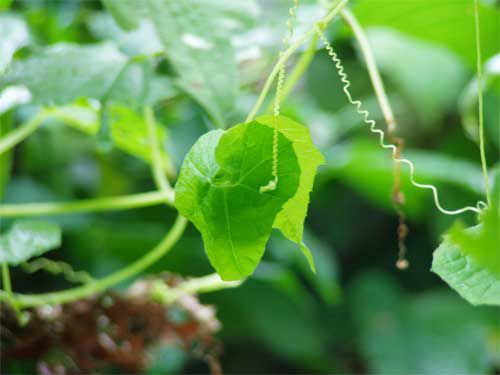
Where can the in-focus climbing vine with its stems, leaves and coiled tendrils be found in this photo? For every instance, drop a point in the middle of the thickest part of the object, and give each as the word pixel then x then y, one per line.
pixel 234 185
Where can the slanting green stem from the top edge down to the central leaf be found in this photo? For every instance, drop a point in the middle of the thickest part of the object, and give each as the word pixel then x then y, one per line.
pixel 286 55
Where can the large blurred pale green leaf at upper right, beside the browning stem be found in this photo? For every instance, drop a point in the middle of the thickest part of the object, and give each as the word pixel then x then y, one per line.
pixel 432 89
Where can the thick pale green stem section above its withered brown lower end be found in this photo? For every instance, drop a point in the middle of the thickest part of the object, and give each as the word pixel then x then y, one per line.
pixel 371 65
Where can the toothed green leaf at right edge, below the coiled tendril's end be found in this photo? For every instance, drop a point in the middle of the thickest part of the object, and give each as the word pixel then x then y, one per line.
pixel 469 260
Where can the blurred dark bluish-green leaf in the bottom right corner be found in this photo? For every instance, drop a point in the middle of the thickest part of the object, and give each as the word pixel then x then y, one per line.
pixel 423 334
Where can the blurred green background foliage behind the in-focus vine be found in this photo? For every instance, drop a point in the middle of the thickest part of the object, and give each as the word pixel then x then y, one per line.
pixel 358 313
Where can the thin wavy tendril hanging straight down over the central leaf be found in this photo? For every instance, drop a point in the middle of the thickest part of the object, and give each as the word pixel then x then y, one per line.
pixel 271 185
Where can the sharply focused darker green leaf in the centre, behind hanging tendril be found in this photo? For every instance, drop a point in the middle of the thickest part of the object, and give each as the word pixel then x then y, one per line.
pixel 219 191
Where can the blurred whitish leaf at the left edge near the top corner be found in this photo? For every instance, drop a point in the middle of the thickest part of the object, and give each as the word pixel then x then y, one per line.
pixel 14 34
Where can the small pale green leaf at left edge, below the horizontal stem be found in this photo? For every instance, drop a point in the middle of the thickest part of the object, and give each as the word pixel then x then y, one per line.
pixel 27 239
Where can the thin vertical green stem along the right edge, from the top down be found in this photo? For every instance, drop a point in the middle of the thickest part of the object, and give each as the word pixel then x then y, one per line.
pixel 482 151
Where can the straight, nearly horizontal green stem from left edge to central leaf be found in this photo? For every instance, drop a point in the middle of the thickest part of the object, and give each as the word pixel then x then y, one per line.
pixel 90 205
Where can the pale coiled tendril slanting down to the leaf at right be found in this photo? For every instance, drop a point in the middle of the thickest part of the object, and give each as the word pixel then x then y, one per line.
pixel 372 124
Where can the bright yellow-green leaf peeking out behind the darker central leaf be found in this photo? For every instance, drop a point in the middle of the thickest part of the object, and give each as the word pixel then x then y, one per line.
pixel 291 218
